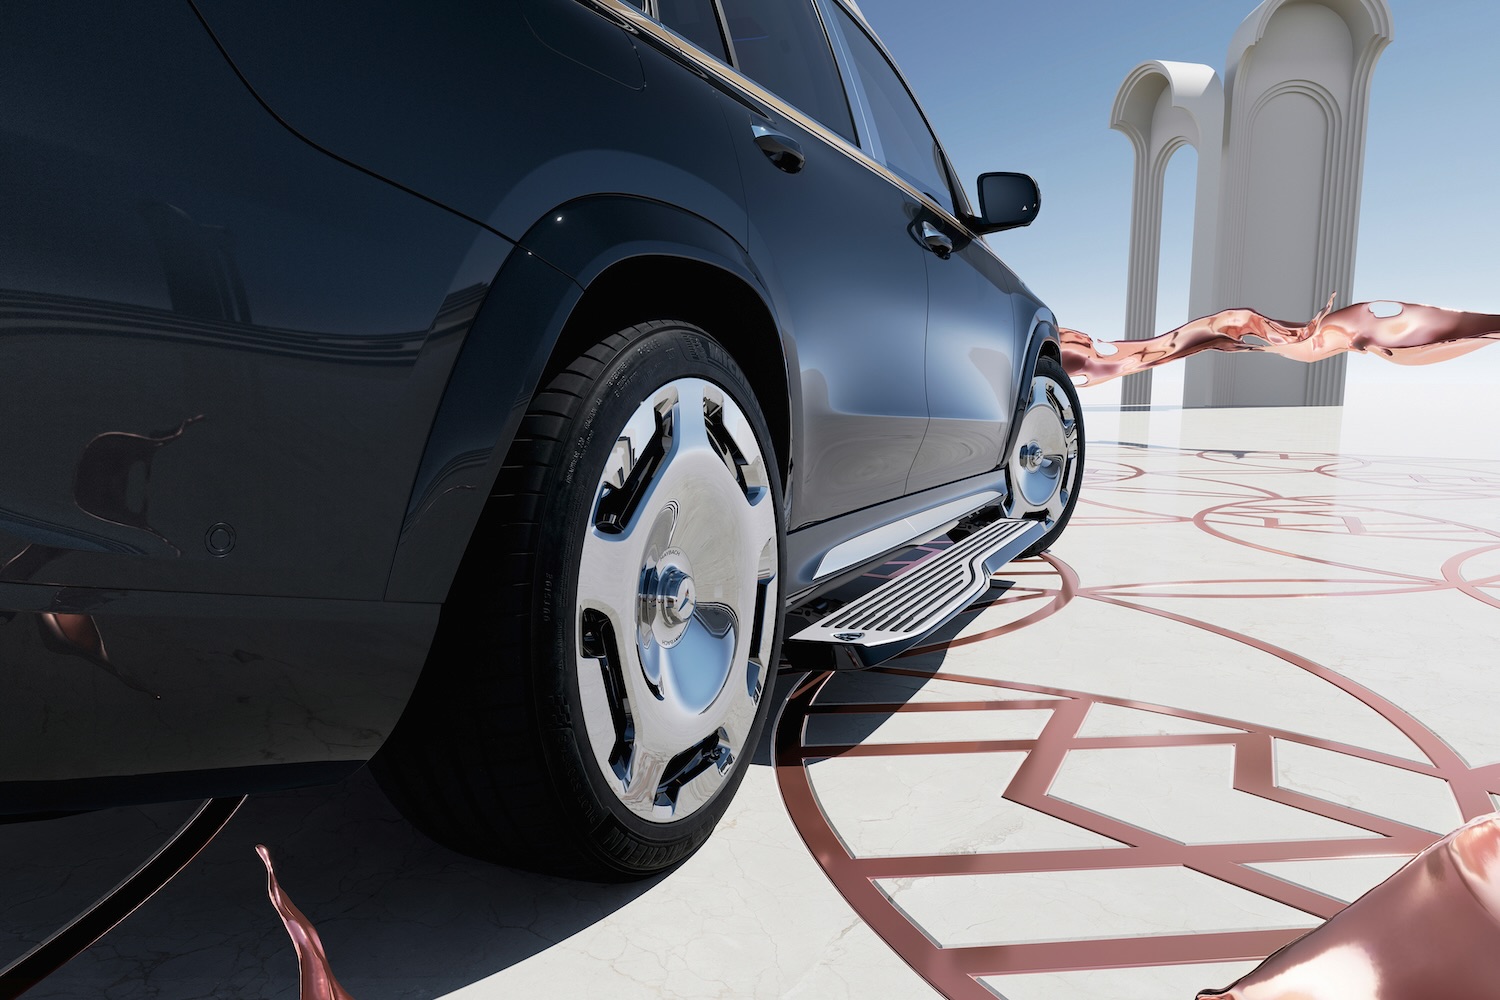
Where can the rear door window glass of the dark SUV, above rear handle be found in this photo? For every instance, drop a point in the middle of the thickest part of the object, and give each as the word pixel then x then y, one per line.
pixel 781 44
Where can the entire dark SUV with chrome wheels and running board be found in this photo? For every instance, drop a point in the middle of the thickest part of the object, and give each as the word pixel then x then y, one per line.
pixel 482 385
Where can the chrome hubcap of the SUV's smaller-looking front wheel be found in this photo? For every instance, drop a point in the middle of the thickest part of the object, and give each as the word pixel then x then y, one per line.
pixel 1045 463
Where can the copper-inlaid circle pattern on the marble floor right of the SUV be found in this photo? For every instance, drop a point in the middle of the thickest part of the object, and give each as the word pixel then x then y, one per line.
pixel 1250 675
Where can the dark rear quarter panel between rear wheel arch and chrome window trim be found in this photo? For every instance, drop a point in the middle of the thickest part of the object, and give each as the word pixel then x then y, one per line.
pixel 500 112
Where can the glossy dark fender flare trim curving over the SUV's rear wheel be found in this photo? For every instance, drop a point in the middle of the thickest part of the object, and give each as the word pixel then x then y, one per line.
pixel 523 328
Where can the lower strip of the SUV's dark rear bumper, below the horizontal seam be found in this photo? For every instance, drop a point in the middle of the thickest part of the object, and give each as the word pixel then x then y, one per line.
pixel 193 683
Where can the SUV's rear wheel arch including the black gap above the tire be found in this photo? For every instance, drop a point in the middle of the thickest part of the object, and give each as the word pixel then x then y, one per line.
pixel 584 271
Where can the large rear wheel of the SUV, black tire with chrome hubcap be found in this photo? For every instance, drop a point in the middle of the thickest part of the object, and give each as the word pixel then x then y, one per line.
pixel 494 755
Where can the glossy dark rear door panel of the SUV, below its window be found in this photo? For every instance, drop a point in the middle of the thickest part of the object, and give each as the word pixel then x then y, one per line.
pixel 857 319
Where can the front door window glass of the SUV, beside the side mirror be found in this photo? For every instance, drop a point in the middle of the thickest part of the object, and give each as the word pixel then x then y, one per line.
pixel 908 146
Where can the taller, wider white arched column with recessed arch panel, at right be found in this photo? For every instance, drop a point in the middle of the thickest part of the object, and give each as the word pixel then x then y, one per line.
pixel 1297 103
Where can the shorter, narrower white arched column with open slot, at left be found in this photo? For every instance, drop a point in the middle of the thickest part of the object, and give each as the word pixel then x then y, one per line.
pixel 1163 107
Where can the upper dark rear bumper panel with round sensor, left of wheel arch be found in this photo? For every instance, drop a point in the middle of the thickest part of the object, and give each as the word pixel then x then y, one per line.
pixel 182 269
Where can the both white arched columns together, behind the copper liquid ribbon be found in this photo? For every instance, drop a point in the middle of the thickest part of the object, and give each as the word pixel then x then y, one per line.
pixel 1282 152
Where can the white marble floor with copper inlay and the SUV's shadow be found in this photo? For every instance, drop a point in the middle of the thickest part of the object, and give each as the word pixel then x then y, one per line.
pixel 1253 678
